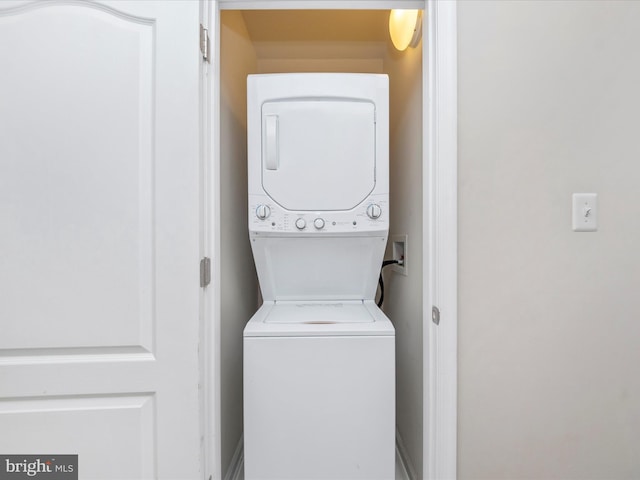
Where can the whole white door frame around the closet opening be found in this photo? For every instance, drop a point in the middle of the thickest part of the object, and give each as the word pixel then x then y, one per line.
pixel 439 224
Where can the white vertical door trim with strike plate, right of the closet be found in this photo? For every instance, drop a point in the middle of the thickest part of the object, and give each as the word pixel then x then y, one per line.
pixel 440 203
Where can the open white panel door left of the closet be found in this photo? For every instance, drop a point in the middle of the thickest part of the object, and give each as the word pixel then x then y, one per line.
pixel 99 235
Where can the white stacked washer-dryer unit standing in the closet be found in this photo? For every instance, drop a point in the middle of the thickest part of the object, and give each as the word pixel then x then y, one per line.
pixel 319 355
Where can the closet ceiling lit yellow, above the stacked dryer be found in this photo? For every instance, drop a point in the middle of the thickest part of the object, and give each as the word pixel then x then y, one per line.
pixel 317 25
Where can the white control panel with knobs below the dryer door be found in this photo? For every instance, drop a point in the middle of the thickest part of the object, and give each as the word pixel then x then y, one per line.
pixel 267 216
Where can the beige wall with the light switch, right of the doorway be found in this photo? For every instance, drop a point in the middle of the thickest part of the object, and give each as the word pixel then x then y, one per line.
pixel 549 319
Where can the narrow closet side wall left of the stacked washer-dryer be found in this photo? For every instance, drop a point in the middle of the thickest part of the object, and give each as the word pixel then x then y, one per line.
pixel 238 283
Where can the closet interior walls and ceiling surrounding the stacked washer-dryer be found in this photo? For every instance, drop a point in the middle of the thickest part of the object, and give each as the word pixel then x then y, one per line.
pixel 276 41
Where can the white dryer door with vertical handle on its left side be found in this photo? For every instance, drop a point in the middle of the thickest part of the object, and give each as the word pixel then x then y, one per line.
pixel 318 154
